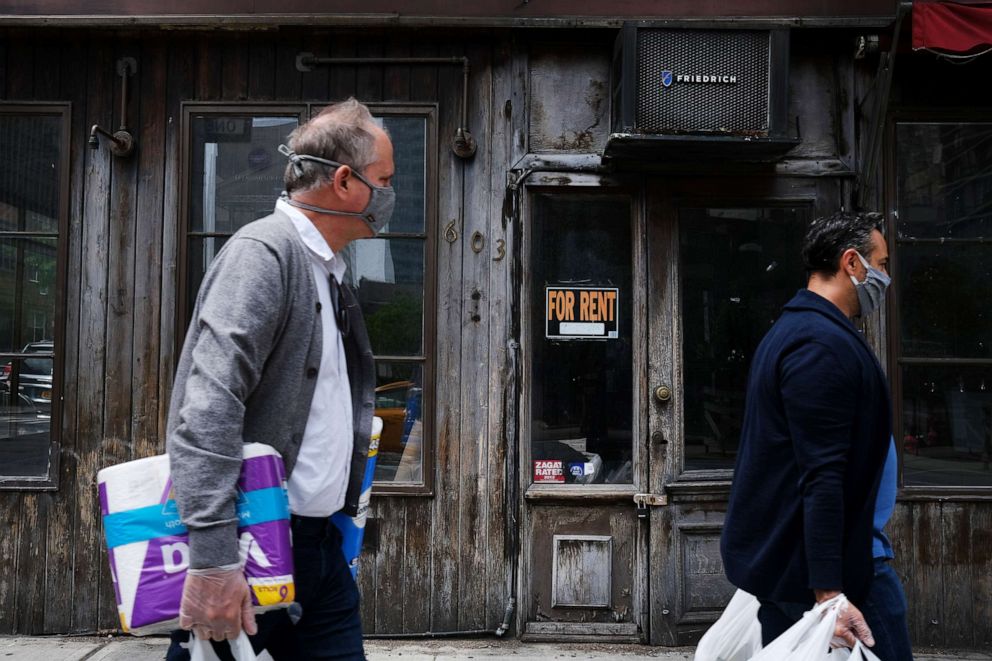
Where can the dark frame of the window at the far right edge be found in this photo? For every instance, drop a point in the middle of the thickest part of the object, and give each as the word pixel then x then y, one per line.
pixel 895 361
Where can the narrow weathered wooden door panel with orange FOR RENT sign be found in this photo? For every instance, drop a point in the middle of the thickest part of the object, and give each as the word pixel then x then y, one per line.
pixel 584 450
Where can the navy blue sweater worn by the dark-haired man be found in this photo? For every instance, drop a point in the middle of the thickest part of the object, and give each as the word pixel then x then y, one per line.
pixel 816 429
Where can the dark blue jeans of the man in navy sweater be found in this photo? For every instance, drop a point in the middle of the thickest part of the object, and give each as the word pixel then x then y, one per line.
pixel 884 610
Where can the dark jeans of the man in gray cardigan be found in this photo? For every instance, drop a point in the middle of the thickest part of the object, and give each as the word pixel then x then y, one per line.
pixel 329 628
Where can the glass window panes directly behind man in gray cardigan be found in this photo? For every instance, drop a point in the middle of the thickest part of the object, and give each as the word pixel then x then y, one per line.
pixel 236 175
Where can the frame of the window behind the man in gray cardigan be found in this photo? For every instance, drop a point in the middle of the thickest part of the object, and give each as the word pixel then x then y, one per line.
pixel 305 110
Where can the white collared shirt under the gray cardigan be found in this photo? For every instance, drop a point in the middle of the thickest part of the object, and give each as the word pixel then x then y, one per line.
pixel 319 480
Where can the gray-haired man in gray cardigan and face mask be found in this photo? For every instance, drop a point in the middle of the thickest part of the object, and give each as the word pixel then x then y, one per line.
pixel 277 353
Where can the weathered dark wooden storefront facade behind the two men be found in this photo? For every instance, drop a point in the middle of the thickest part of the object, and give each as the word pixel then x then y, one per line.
pixel 478 538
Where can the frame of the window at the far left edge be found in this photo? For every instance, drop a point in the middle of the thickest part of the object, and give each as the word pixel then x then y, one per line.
pixel 63 110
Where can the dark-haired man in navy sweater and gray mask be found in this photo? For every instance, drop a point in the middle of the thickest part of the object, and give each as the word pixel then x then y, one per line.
pixel 814 442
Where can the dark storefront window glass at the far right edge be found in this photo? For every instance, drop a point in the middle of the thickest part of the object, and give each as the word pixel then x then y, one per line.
pixel 943 286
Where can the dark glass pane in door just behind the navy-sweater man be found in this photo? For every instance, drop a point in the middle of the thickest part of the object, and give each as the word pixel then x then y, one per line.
pixel 739 267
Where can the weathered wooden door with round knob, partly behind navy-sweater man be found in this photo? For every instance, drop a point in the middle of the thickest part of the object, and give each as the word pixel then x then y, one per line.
pixel 723 257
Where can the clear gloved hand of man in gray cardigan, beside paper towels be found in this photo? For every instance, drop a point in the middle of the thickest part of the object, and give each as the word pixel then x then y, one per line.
pixel 216 603
